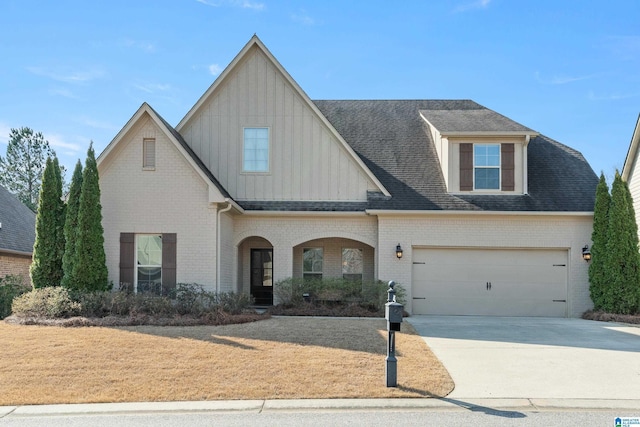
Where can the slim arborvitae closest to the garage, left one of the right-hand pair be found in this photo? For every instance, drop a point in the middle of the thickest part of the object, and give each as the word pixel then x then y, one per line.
pixel 597 268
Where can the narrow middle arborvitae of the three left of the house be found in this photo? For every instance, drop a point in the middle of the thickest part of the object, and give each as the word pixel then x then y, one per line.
pixel 71 227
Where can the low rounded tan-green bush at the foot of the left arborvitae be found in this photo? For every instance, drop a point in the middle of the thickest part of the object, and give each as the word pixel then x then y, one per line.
pixel 50 302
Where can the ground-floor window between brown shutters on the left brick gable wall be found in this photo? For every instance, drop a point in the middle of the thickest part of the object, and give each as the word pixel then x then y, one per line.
pixel 149 263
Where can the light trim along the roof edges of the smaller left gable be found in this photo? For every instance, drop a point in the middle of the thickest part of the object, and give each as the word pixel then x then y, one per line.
pixel 215 196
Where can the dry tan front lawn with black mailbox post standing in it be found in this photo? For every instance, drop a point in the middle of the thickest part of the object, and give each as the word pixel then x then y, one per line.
pixel 278 358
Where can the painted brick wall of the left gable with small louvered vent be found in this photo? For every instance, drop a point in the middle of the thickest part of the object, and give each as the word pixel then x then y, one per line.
pixel 173 198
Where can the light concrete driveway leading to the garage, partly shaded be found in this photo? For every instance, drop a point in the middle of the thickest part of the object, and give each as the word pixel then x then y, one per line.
pixel 509 357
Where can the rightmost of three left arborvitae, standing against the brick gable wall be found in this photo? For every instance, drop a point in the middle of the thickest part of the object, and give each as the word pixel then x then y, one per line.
pixel 90 269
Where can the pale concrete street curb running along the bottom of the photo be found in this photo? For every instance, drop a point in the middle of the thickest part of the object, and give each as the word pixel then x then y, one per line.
pixel 258 406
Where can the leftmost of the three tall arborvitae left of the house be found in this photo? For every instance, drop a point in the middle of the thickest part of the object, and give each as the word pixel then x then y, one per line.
pixel 46 268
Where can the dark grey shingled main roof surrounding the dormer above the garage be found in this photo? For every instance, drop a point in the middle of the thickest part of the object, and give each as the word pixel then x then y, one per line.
pixel 395 143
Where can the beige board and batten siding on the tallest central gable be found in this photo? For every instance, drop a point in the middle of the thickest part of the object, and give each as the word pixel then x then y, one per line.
pixel 306 161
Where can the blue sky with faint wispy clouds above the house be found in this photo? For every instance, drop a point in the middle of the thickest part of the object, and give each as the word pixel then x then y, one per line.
pixel 78 70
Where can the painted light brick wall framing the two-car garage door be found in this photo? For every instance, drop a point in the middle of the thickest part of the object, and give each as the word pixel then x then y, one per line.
pixel 570 232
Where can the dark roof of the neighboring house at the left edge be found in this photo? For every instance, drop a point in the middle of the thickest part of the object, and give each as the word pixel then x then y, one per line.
pixel 18 230
